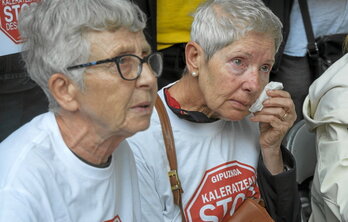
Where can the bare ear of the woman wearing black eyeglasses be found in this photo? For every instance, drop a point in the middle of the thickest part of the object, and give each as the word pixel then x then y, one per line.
pixel 64 91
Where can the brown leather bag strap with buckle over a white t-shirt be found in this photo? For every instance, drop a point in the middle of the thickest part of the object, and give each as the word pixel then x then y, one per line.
pixel 171 154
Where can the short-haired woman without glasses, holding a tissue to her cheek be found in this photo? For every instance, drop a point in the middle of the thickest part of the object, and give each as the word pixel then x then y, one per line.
pixel 224 153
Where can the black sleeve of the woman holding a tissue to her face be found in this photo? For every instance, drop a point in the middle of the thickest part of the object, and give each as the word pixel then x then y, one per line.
pixel 280 191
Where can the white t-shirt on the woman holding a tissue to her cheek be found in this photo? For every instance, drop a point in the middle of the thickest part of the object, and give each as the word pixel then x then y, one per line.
pixel 216 163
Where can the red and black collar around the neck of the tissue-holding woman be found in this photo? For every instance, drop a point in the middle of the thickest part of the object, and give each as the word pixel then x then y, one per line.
pixel 193 116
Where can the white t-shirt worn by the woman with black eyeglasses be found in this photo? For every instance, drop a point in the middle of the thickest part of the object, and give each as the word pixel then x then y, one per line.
pixel 42 180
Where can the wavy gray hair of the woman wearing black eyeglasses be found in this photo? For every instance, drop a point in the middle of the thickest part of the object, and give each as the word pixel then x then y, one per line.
pixel 55 35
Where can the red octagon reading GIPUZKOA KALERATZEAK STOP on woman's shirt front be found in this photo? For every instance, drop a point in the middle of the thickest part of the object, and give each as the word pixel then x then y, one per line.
pixel 221 192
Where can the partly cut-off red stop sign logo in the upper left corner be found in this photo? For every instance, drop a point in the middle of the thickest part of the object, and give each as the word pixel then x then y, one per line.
pixel 9 10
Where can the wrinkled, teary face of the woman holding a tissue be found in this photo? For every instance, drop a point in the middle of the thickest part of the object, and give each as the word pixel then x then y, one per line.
pixel 234 77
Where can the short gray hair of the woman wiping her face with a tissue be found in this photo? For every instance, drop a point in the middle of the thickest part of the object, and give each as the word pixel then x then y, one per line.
pixel 218 23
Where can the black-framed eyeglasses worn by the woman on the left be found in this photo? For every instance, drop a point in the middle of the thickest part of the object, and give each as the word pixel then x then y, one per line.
pixel 130 66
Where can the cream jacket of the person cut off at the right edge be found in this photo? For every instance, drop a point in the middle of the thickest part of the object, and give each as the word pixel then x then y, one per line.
pixel 325 110
